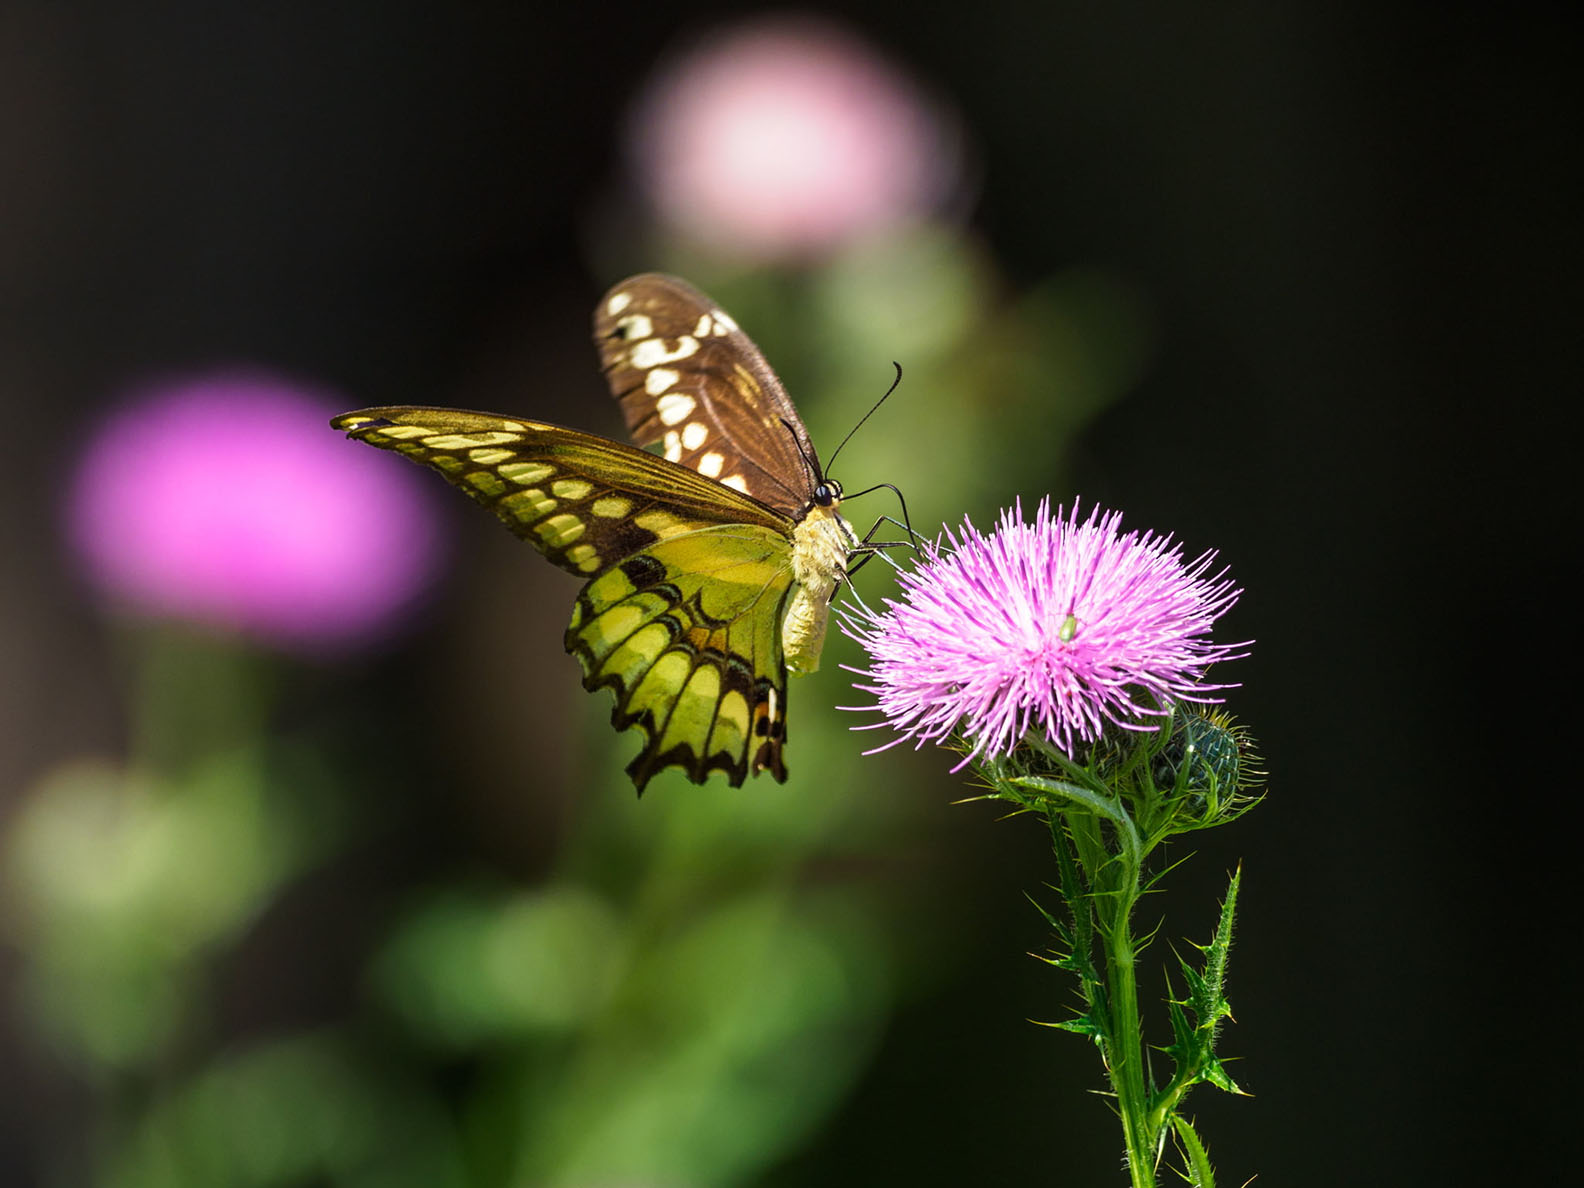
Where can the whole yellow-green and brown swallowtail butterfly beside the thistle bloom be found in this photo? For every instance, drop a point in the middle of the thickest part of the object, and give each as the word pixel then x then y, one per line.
pixel 709 569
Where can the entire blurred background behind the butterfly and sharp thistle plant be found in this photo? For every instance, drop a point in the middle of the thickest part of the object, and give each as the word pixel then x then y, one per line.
pixel 321 870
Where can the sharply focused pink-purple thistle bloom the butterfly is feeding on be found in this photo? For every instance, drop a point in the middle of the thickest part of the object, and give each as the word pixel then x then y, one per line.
pixel 1057 625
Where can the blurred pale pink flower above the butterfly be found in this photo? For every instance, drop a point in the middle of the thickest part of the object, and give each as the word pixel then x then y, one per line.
pixel 788 137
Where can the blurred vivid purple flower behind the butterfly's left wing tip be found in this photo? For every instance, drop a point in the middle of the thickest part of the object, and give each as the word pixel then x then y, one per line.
pixel 221 500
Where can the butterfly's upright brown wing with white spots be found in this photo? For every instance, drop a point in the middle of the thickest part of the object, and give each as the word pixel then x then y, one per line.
pixel 695 386
